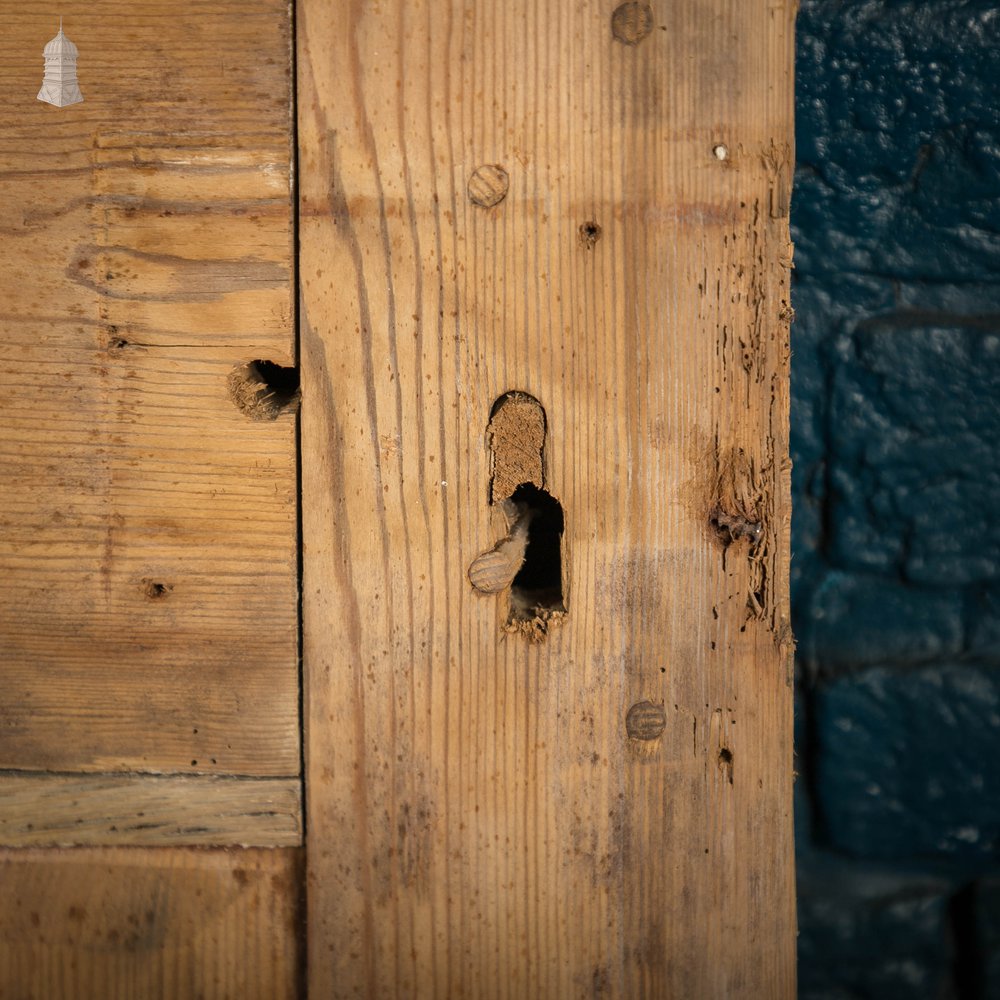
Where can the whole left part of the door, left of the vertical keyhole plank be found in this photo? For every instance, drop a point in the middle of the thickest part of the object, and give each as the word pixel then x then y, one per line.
pixel 150 816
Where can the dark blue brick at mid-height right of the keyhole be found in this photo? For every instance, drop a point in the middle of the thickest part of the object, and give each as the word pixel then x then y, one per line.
pixel 914 469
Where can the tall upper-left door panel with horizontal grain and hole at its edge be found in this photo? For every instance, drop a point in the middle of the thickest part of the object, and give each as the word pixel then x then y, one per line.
pixel 148 617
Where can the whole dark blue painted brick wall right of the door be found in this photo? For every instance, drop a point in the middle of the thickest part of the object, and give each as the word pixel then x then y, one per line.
pixel 896 529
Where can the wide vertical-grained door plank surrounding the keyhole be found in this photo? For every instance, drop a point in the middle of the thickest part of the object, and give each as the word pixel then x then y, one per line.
pixel 606 812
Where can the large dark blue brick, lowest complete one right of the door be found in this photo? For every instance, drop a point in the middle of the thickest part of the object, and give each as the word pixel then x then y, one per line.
pixel 907 763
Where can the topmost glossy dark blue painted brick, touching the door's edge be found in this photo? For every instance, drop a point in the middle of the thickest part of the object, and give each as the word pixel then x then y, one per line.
pixel 898 132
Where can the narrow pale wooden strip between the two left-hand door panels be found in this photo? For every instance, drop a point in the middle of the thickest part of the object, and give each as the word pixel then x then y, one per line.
pixel 40 810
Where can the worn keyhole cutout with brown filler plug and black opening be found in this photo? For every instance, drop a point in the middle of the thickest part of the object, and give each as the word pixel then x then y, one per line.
pixel 526 564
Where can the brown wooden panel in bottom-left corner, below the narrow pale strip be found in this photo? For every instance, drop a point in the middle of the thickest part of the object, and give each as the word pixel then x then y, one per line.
pixel 136 924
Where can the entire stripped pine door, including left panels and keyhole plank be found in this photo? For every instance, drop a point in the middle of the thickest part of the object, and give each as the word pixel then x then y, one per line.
pixel 531 262
